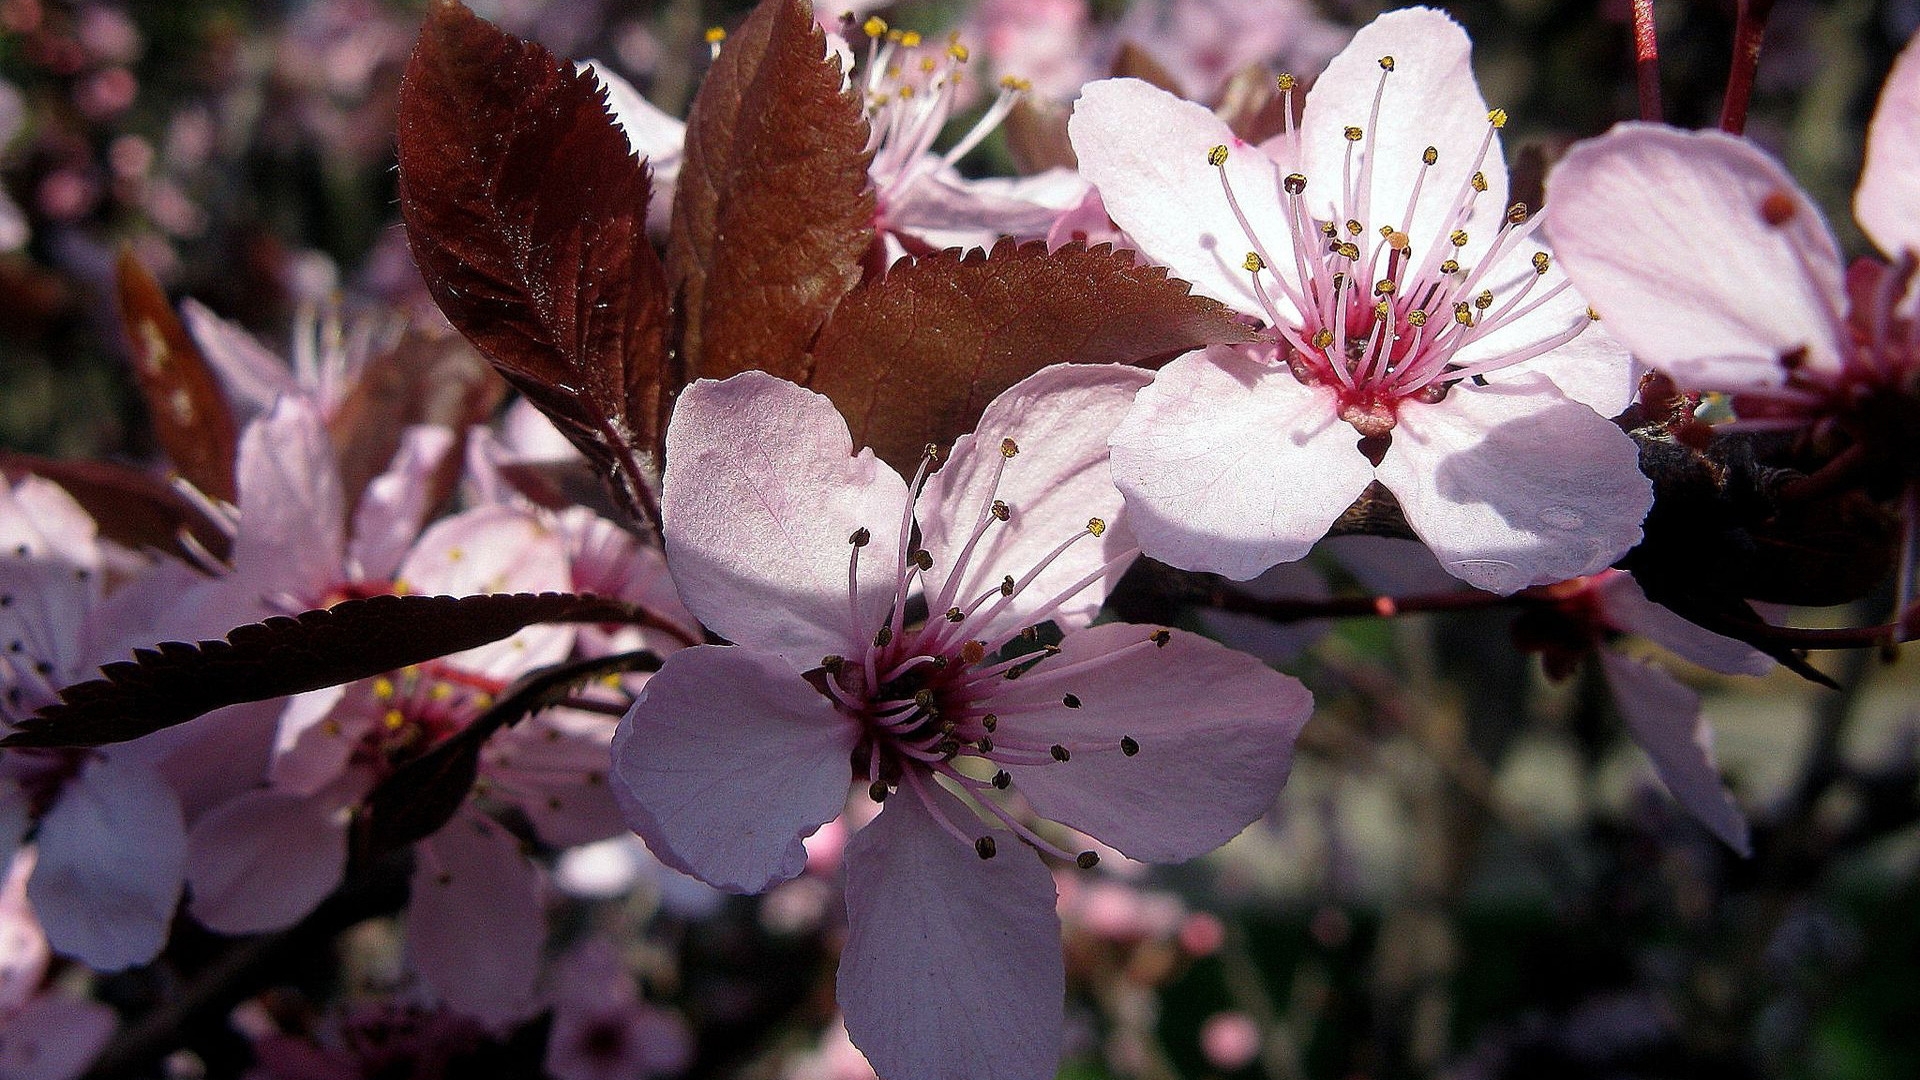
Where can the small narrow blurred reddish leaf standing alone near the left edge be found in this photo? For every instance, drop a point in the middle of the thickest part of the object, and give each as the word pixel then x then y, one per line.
pixel 183 401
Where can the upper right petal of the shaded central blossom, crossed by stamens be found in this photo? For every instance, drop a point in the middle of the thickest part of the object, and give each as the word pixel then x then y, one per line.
pixel 1059 420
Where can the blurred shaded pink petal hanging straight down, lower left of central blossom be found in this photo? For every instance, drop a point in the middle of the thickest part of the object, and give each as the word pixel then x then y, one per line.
pixel 475 920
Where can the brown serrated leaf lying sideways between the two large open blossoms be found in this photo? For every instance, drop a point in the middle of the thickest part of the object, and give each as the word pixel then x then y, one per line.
pixel 915 356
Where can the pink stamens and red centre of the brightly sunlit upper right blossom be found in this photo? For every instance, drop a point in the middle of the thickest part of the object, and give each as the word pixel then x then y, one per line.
pixel 1372 310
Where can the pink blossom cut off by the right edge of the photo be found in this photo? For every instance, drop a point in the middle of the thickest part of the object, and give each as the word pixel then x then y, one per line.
pixel 1773 318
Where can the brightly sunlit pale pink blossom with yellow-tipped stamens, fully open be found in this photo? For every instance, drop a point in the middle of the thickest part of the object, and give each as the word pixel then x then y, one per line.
pixel 1408 310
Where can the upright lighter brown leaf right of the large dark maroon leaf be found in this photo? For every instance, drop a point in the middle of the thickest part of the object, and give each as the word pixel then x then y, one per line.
pixel 773 210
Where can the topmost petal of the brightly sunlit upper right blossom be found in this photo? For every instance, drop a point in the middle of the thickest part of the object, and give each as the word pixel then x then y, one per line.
pixel 1429 99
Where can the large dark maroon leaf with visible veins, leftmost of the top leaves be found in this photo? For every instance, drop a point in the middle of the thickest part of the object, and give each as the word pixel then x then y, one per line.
pixel 529 218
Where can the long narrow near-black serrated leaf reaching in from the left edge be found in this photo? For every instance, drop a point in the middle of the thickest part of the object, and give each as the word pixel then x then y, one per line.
pixel 293 654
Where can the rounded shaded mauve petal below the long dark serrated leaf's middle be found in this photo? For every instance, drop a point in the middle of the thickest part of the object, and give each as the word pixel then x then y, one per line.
pixel 264 862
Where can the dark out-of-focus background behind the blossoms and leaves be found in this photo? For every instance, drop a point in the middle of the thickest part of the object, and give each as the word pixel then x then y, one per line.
pixel 1472 871
